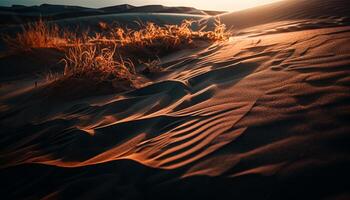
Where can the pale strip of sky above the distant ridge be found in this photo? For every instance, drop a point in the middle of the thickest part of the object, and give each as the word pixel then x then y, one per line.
pixel 222 5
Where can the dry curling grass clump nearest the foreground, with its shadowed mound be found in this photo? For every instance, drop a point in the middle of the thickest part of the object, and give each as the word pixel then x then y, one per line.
pixel 92 70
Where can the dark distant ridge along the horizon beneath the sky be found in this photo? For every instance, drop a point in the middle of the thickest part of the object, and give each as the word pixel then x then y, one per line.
pixel 17 14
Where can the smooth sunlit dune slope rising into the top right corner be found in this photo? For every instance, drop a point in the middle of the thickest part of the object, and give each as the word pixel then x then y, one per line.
pixel 289 10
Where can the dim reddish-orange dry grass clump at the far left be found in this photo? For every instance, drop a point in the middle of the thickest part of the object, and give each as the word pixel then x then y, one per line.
pixel 37 35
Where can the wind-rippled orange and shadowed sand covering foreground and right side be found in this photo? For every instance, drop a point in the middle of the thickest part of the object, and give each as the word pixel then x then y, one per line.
pixel 261 116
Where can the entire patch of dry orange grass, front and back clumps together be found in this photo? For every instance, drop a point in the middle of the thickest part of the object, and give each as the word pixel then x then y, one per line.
pixel 110 55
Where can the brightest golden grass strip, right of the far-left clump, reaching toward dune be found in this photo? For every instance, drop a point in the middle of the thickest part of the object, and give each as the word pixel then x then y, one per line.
pixel 168 37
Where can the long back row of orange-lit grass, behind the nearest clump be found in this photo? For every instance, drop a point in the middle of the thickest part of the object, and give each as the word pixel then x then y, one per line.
pixel 42 35
